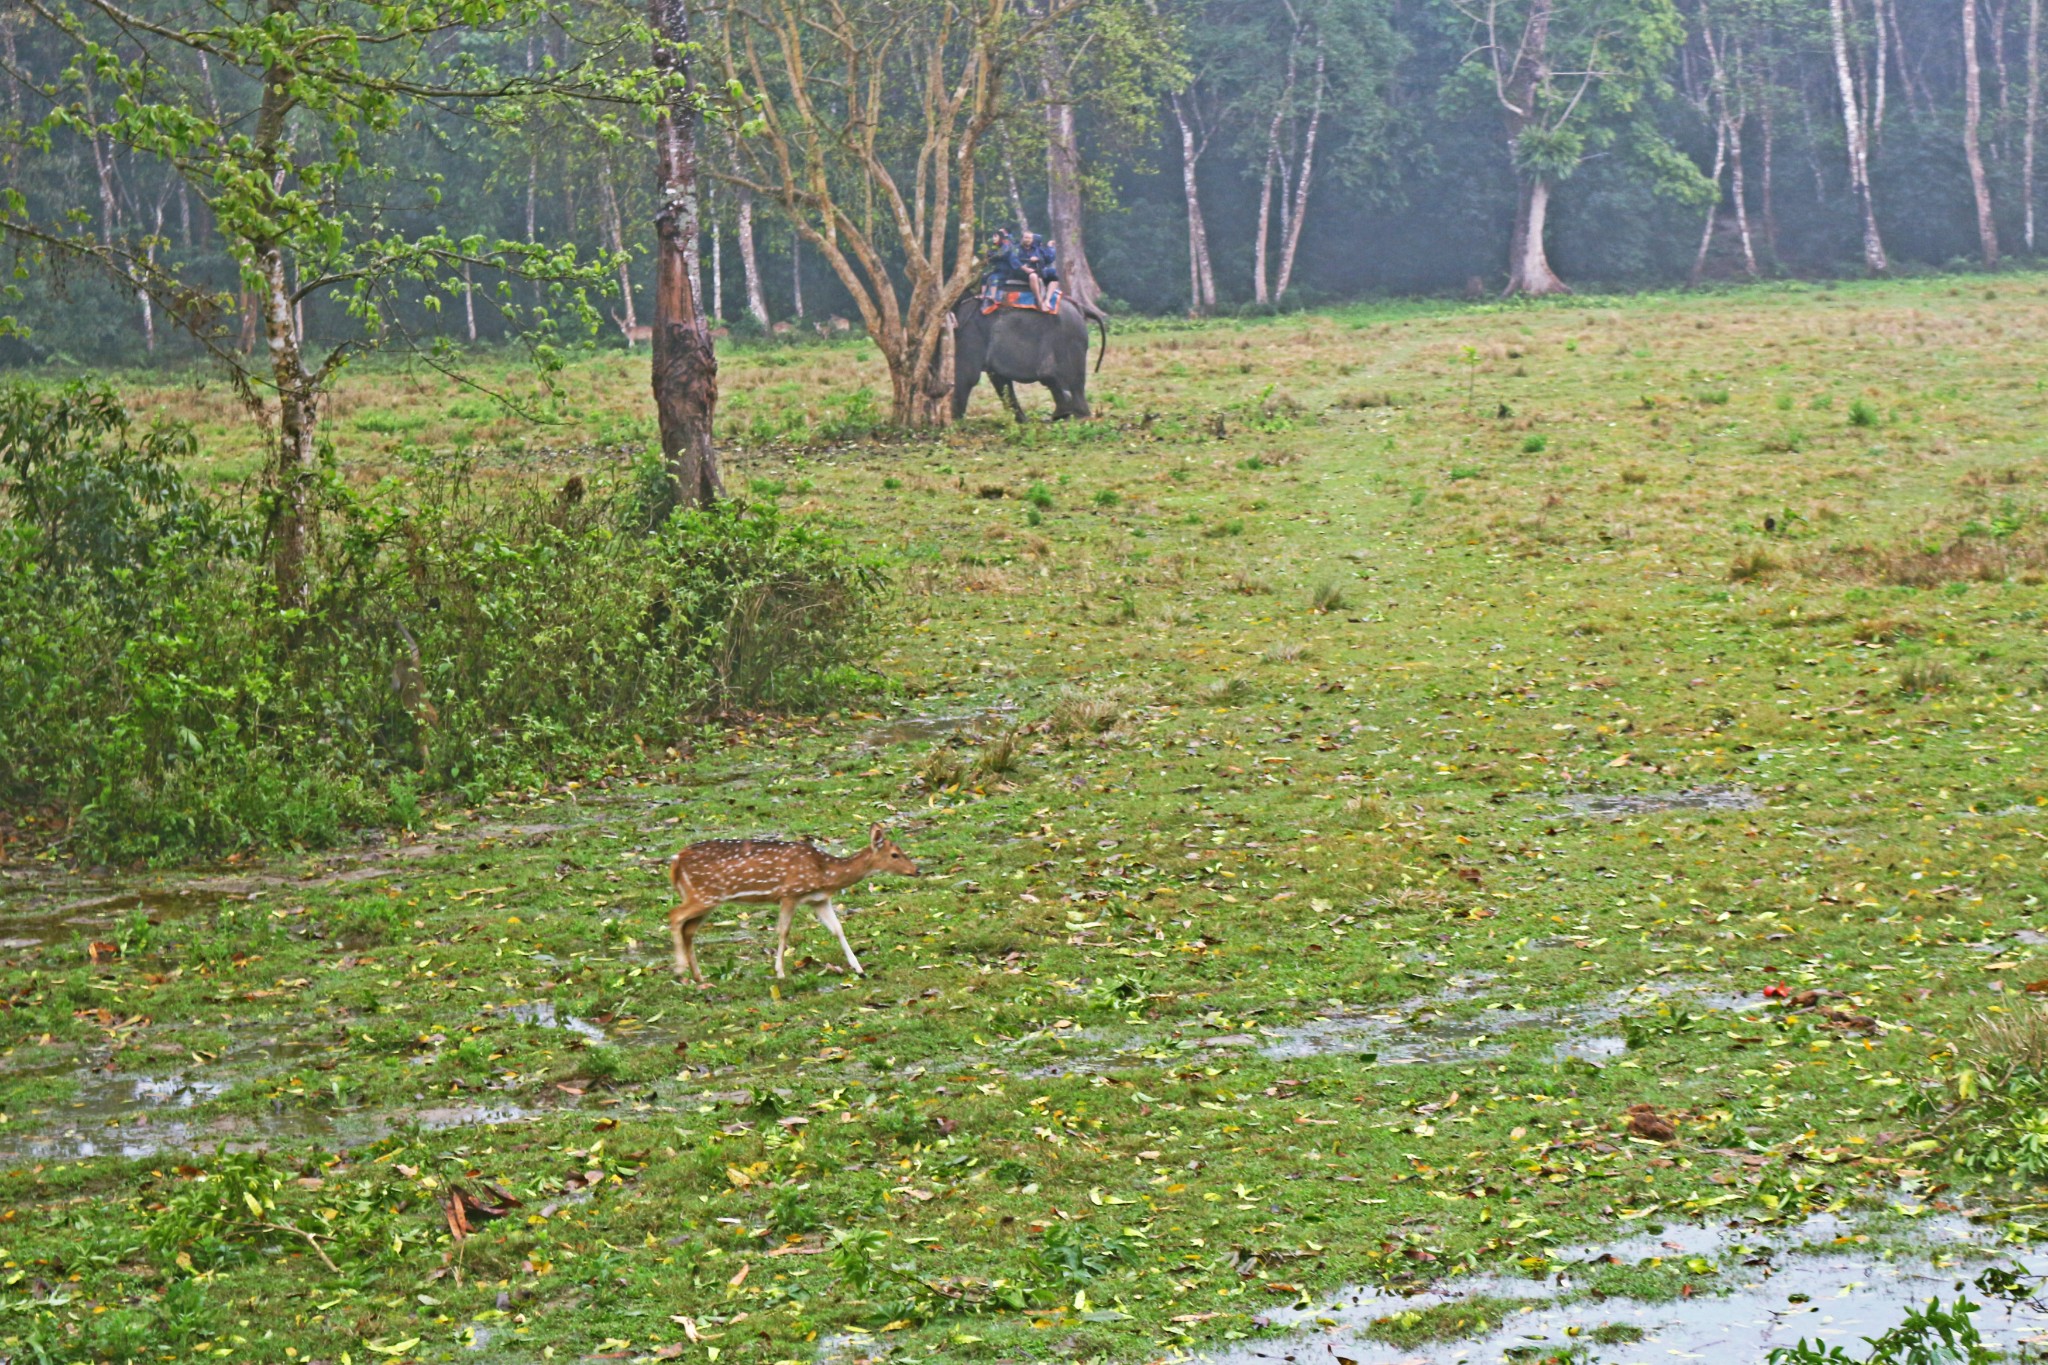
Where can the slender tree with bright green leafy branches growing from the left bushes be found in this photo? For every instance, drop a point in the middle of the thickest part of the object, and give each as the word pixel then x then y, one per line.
pixel 278 116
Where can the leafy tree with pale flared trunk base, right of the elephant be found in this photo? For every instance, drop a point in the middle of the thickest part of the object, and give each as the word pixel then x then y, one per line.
pixel 1570 79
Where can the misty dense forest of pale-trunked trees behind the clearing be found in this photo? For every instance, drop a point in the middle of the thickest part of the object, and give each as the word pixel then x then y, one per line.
pixel 1332 148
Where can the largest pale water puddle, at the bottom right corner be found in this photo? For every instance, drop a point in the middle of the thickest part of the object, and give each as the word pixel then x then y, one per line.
pixel 1766 1290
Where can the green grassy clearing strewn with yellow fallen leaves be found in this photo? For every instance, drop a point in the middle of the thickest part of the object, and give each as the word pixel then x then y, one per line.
pixel 1273 936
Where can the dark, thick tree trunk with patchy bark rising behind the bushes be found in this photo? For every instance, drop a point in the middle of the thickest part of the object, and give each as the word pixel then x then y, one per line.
pixel 685 365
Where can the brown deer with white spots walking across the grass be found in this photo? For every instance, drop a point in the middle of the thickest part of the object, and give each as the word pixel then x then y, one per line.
pixel 761 871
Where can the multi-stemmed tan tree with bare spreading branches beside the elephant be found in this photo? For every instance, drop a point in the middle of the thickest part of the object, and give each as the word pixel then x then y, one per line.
pixel 869 126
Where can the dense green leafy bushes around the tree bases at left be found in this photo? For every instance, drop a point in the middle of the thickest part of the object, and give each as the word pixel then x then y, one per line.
pixel 159 699
